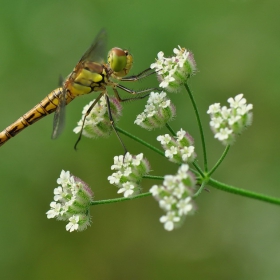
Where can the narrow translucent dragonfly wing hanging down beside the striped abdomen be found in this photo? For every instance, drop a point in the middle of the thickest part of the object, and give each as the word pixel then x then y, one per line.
pixel 59 116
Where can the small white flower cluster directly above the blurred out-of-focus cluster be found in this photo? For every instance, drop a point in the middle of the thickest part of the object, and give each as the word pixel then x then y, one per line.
pixel 179 149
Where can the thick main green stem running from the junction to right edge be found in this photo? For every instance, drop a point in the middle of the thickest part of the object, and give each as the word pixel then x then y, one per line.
pixel 242 192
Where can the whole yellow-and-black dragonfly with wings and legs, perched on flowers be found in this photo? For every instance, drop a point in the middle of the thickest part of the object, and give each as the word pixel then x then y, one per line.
pixel 90 74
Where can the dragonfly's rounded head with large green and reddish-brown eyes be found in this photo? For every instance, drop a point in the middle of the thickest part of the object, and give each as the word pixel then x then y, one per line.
pixel 120 61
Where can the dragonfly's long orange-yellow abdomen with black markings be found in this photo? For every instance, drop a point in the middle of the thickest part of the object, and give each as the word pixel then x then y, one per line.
pixel 47 106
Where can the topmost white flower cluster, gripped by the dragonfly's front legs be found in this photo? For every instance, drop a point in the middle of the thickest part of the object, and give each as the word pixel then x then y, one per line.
pixel 173 72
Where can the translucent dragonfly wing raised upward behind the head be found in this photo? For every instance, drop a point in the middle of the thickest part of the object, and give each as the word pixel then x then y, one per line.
pixel 97 50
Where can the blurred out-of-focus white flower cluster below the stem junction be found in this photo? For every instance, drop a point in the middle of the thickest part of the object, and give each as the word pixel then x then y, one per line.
pixel 175 197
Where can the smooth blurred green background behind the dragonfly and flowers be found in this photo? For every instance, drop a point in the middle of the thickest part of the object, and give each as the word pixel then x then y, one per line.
pixel 236 47
